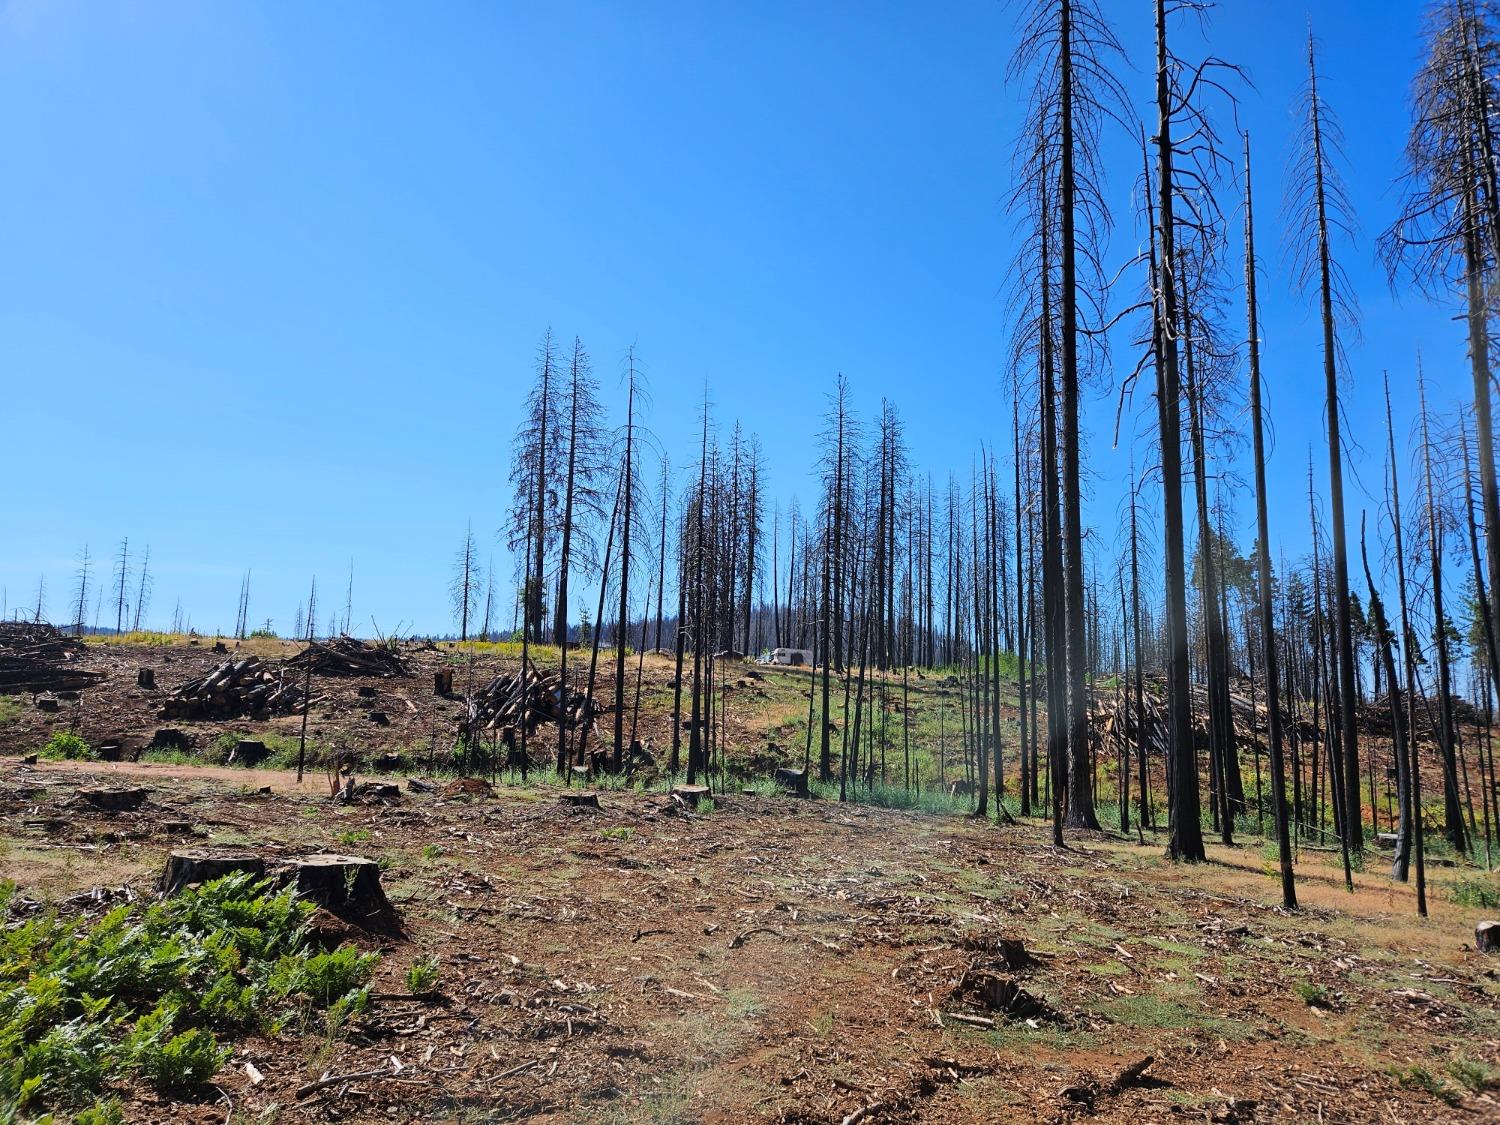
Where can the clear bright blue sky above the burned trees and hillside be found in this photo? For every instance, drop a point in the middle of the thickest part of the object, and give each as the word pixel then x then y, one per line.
pixel 272 275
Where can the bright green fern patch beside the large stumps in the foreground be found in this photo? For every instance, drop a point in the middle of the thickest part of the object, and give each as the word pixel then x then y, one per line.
pixel 146 992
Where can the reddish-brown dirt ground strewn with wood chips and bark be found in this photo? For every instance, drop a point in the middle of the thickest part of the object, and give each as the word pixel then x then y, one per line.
pixel 775 959
